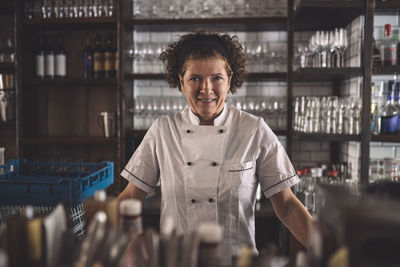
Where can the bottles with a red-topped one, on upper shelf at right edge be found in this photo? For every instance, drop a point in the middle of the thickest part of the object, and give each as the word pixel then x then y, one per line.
pixel 387 53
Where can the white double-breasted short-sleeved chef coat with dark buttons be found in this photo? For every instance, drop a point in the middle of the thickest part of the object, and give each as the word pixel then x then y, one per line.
pixel 211 173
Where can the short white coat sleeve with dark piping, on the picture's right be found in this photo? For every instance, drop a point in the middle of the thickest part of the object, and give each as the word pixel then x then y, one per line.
pixel 274 169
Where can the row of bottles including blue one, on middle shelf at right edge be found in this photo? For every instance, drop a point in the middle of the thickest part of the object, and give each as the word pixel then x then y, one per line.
pixel 385 110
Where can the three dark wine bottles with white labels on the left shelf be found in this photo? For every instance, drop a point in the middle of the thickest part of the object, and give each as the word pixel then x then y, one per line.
pixel 50 58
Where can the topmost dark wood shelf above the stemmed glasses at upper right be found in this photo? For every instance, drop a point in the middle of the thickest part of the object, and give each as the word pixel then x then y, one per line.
pixel 325 15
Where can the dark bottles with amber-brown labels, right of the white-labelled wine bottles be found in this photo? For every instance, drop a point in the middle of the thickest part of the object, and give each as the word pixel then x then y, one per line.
pixel 100 62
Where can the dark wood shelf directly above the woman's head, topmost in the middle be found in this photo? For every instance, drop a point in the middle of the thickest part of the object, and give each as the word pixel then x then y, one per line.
pixel 234 23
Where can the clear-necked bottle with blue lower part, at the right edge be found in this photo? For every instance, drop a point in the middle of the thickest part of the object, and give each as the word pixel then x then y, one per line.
pixel 390 114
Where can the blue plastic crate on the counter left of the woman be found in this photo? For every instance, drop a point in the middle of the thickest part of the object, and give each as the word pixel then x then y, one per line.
pixel 45 184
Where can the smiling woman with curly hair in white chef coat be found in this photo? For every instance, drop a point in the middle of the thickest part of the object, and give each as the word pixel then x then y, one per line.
pixel 211 157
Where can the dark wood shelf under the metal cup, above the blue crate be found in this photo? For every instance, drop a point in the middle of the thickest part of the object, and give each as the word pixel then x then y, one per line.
pixel 84 140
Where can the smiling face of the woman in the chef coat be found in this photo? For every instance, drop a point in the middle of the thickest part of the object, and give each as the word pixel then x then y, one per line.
pixel 205 84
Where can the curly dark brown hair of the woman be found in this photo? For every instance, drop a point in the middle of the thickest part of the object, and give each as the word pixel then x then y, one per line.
pixel 232 52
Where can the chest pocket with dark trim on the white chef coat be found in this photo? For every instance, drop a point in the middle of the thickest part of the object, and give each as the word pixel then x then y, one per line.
pixel 242 174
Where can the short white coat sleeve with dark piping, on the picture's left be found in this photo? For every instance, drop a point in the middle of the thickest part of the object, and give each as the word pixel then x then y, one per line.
pixel 143 168
